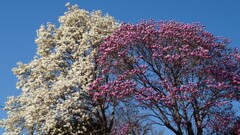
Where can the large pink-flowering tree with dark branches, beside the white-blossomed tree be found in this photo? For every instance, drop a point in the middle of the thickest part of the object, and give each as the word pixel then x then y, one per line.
pixel 184 75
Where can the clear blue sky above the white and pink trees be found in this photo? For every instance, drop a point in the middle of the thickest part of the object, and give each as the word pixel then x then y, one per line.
pixel 19 21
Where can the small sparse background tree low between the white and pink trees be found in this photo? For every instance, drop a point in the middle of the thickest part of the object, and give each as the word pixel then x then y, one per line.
pixel 131 119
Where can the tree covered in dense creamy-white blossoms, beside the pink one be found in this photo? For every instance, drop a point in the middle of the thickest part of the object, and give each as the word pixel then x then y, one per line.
pixel 54 83
